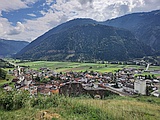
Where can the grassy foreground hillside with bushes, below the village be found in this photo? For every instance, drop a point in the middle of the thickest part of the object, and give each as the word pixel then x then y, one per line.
pixel 21 107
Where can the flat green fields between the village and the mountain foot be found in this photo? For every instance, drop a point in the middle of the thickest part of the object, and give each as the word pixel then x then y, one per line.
pixel 75 66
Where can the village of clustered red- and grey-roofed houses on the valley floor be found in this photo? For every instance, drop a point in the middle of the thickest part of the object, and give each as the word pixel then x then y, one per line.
pixel 98 85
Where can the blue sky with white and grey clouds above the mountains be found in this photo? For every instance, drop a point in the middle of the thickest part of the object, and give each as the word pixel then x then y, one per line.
pixel 26 20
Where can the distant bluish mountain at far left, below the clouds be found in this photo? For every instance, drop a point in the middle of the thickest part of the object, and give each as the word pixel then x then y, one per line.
pixel 10 47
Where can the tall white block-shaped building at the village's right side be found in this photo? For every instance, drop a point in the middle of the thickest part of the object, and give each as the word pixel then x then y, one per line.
pixel 140 86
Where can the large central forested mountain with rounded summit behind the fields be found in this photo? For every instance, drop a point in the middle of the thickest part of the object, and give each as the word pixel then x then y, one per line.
pixel 85 41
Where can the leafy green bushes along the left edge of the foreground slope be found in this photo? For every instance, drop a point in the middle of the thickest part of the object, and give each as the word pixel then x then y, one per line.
pixel 14 100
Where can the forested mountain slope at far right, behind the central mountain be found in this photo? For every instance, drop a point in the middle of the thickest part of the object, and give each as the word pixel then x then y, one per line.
pixel 145 26
